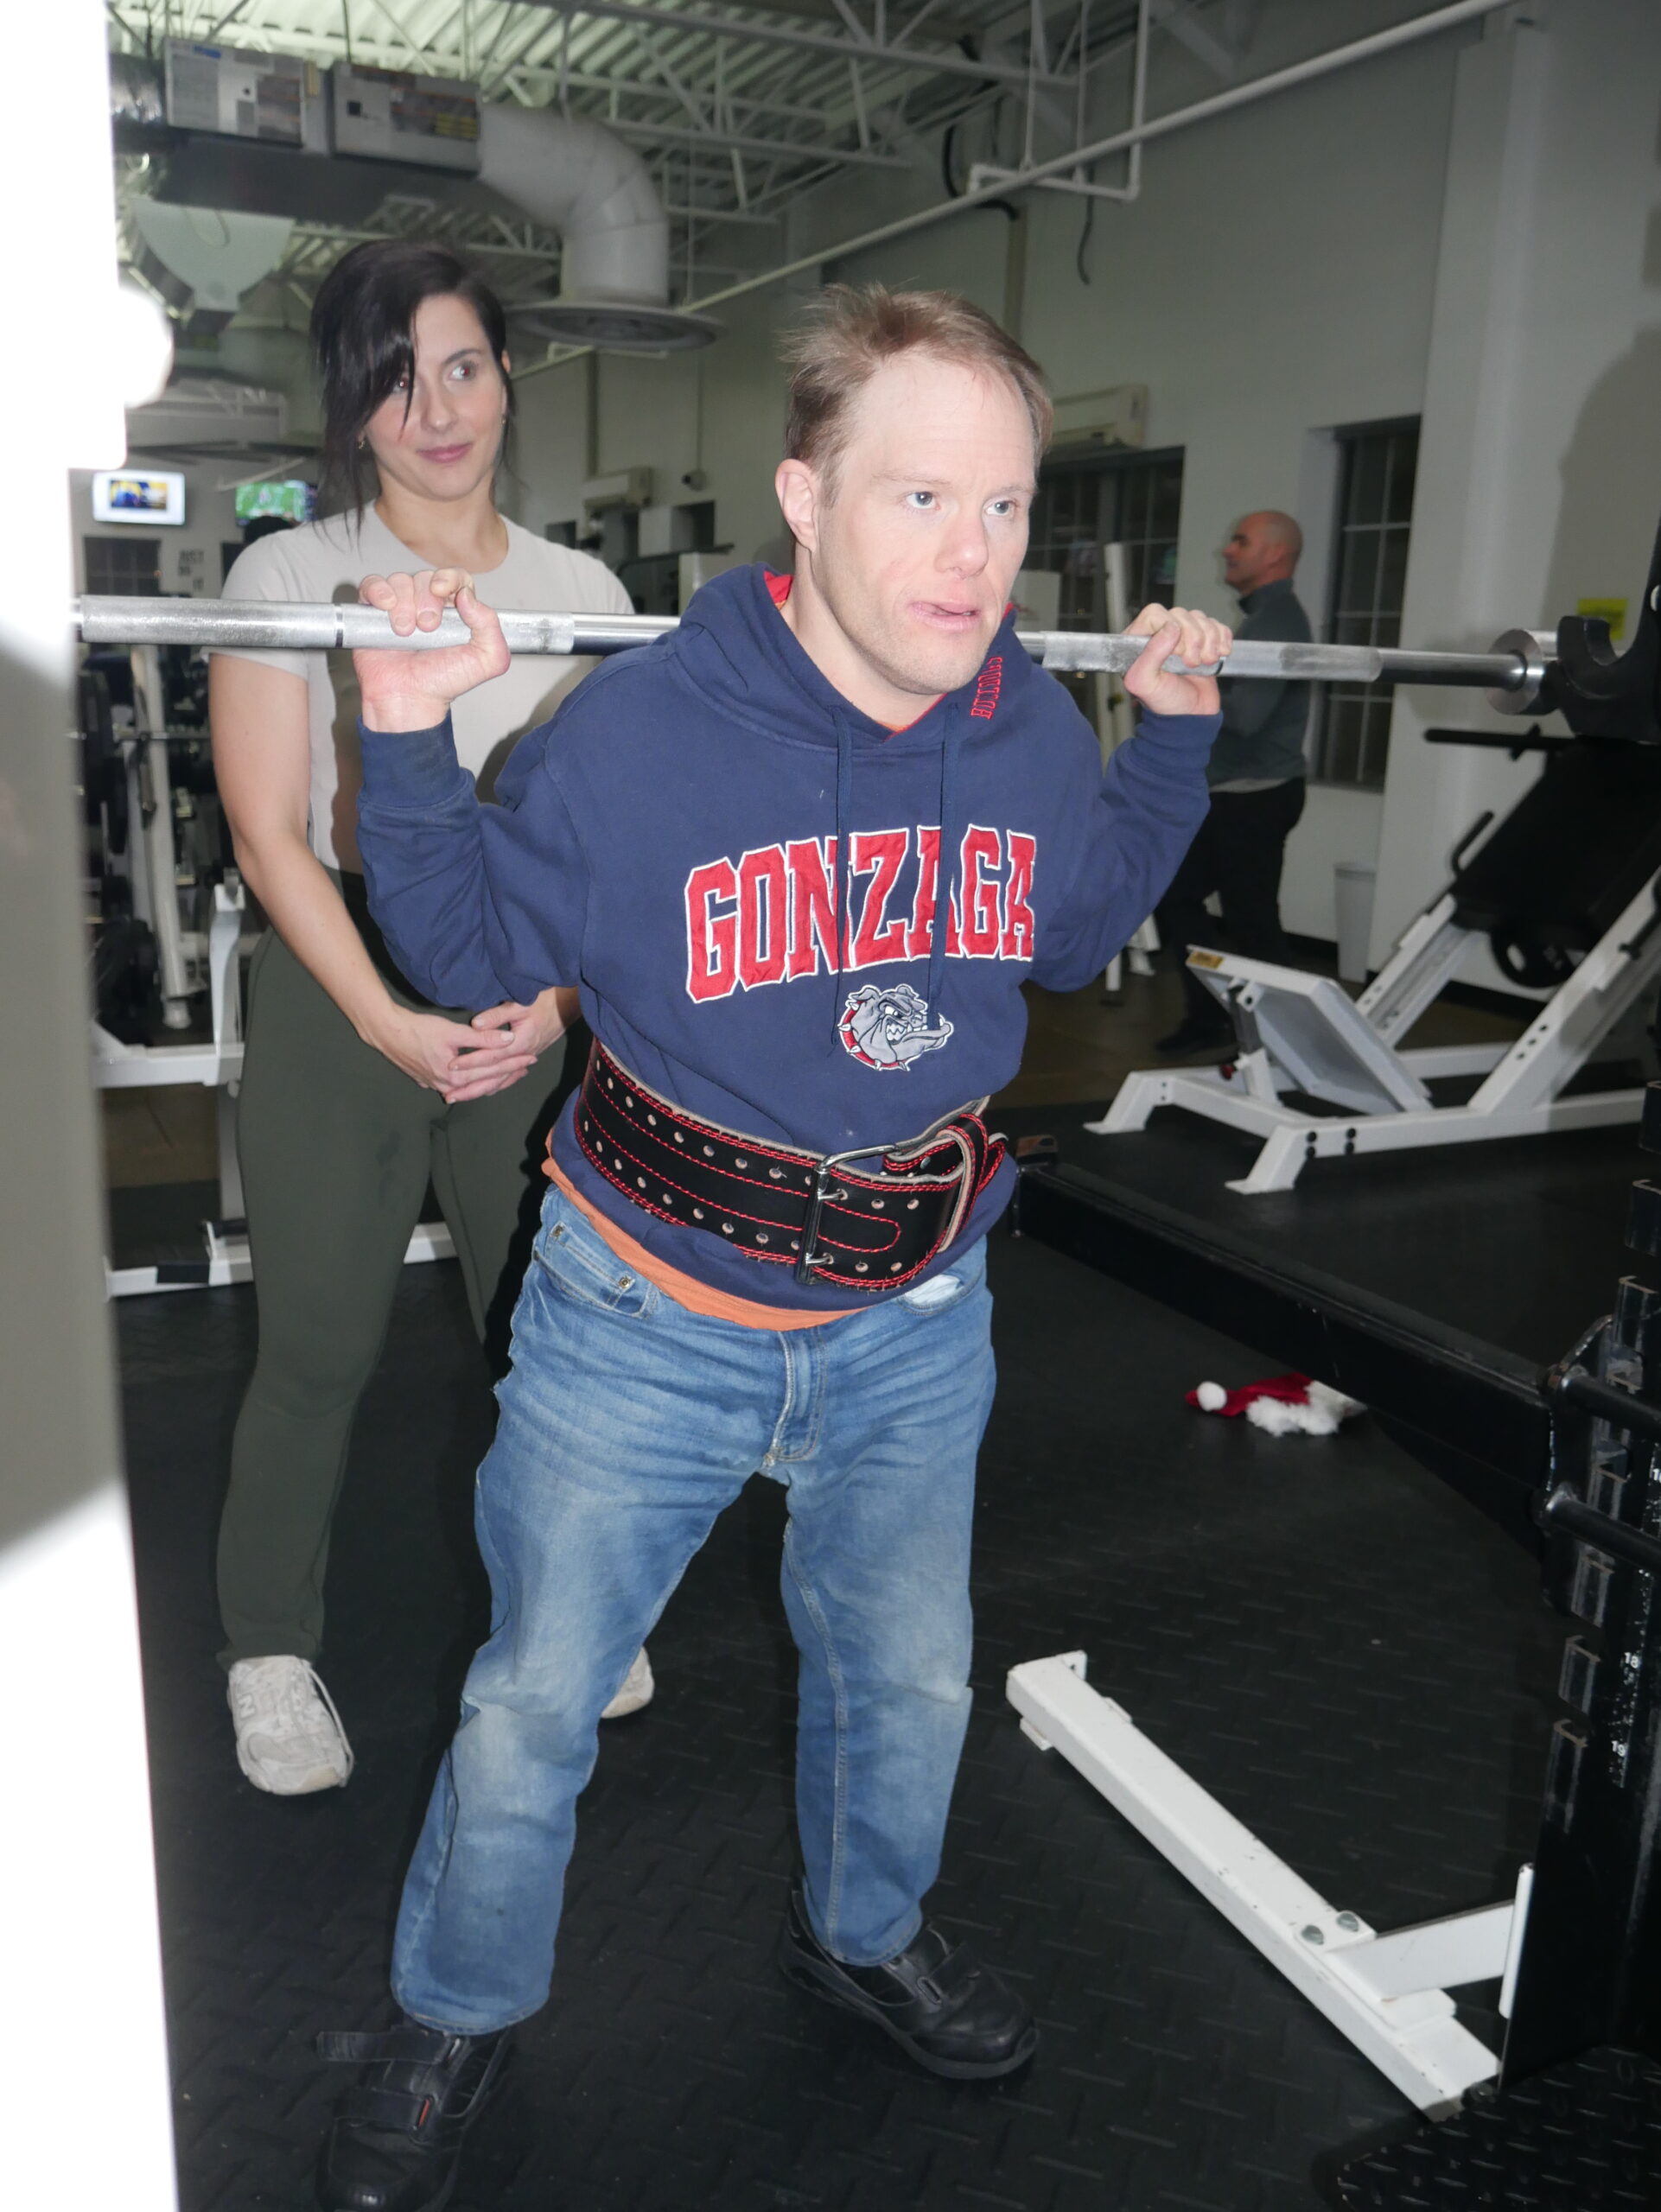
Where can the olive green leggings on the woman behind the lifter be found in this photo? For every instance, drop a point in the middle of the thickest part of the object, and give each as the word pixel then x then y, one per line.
pixel 337 1147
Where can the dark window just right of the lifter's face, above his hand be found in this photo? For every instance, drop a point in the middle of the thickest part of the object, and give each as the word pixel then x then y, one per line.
pixel 1087 501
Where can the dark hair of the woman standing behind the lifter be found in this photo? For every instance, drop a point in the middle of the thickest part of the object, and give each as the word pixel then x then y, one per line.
pixel 362 342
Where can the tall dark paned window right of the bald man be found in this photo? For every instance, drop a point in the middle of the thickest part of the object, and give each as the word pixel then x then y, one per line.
pixel 1377 466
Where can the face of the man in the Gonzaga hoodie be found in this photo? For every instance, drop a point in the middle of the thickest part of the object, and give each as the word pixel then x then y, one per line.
pixel 926 528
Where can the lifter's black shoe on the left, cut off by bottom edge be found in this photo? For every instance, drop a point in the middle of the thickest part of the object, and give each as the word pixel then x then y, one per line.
pixel 397 2136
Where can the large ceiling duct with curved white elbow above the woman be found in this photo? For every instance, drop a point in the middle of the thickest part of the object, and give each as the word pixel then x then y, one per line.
pixel 293 145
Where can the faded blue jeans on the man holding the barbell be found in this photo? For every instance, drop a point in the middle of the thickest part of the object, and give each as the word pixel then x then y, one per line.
pixel 627 1426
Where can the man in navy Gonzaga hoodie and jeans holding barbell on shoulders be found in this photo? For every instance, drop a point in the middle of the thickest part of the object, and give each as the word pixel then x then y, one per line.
pixel 800 859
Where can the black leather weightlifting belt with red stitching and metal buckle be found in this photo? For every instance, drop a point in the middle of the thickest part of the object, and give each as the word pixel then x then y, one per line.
pixel 866 1220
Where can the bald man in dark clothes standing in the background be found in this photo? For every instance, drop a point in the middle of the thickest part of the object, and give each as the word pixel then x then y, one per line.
pixel 1257 778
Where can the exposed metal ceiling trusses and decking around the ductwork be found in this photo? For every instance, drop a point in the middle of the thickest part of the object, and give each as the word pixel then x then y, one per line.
pixel 735 107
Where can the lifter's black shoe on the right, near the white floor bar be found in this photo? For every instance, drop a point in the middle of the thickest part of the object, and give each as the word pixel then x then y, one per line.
pixel 939 2003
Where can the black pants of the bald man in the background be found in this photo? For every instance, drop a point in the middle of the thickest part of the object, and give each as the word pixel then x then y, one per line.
pixel 1237 855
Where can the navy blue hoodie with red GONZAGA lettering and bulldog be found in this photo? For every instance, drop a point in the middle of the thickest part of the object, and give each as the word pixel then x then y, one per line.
pixel 680 839
